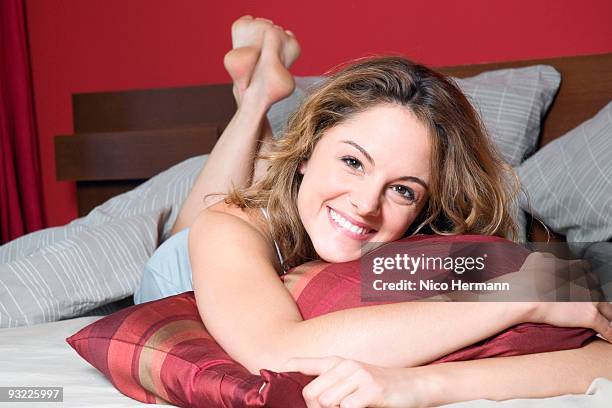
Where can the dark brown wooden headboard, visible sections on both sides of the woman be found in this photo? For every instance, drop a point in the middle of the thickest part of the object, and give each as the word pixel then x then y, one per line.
pixel 123 138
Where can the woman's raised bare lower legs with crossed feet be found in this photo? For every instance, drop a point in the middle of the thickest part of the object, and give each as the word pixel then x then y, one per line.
pixel 231 162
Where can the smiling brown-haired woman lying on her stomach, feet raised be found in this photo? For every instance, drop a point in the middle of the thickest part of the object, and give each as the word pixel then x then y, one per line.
pixel 383 149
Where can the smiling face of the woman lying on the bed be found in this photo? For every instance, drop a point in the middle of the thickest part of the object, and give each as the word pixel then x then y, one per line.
pixel 366 181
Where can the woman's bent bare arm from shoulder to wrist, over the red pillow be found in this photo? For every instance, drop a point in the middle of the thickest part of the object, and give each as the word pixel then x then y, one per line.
pixel 247 309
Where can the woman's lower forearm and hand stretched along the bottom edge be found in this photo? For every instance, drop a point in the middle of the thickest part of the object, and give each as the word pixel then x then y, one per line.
pixel 540 375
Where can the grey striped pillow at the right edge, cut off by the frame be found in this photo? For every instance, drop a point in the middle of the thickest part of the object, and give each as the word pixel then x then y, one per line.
pixel 569 181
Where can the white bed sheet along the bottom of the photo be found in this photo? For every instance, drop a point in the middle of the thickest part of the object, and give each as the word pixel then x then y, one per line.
pixel 39 356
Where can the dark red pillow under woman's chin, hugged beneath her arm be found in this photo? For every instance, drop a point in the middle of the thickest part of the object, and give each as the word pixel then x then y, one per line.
pixel 320 288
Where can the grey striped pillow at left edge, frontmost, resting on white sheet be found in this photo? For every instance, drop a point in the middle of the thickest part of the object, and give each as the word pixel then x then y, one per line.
pixel 93 267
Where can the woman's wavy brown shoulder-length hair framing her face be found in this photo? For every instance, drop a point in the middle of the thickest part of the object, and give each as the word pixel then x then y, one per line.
pixel 471 186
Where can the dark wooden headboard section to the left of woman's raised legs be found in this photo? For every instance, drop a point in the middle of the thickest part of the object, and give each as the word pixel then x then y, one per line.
pixel 123 138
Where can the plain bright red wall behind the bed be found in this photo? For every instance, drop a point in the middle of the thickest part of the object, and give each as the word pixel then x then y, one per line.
pixel 103 45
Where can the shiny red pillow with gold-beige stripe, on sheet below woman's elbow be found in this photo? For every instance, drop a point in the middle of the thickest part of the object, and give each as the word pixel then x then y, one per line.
pixel 160 352
